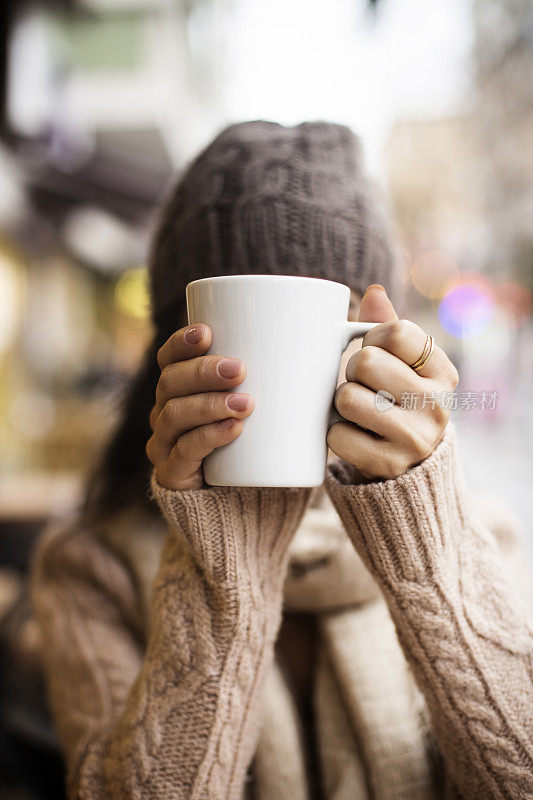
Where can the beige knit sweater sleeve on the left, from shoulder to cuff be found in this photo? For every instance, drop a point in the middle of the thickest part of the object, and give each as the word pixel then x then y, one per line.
pixel 179 717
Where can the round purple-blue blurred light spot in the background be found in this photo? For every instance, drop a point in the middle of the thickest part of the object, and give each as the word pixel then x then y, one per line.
pixel 467 307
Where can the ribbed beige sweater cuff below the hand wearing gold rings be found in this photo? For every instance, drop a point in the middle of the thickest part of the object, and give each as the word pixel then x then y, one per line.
pixel 408 528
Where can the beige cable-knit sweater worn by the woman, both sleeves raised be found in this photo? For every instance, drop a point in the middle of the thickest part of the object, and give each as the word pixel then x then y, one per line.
pixel 165 702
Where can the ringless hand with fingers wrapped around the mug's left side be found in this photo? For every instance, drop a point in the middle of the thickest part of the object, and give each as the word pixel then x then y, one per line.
pixel 195 410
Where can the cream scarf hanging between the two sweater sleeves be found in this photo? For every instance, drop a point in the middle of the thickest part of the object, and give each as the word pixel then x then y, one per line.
pixel 370 718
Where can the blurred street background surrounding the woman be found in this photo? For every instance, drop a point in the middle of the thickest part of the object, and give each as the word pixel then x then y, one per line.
pixel 104 101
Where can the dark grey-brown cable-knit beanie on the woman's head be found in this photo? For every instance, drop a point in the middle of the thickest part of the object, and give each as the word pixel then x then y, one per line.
pixel 269 199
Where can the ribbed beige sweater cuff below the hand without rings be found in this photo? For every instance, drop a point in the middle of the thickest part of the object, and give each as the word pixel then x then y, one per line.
pixel 234 532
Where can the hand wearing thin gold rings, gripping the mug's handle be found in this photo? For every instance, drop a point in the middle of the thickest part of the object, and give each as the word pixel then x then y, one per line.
pixel 383 444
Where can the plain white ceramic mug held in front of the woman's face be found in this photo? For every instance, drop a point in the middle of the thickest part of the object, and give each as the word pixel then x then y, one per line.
pixel 291 332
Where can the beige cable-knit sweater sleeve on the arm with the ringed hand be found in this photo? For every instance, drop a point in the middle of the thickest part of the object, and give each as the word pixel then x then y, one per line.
pixel 462 627
